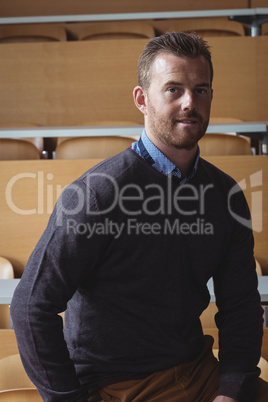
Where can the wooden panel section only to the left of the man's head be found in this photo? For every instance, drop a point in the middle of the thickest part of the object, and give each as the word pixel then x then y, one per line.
pixel 47 84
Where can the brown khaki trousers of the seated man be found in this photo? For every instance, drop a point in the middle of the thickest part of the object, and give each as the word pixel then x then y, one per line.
pixel 196 381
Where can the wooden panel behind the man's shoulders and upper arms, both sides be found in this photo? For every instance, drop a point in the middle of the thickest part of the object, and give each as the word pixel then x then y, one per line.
pixel 31 188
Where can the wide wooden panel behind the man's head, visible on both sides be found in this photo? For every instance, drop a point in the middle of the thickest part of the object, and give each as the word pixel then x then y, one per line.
pixel 70 83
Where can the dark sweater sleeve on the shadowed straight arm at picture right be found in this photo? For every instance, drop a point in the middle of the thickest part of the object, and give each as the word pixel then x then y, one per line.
pixel 239 318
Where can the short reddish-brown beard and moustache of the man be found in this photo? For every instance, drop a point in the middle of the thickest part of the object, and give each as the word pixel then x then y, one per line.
pixel 169 131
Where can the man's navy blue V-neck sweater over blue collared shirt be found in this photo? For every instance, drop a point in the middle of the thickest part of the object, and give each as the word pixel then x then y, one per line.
pixel 128 253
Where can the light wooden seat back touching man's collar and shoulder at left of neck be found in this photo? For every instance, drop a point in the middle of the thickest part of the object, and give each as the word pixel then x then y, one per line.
pixel 91 147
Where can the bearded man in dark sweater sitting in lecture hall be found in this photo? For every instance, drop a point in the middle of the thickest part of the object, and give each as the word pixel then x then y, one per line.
pixel 128 251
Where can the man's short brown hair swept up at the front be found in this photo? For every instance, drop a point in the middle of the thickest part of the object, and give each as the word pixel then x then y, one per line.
pixel 178 43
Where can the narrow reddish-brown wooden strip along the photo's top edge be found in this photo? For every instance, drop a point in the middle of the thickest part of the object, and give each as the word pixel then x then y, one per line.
pixel 12 8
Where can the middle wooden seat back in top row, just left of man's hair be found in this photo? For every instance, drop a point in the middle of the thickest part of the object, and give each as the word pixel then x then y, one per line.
pixel 116 30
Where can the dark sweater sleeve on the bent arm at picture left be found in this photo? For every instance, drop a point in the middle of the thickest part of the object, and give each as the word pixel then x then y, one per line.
pixel 53 273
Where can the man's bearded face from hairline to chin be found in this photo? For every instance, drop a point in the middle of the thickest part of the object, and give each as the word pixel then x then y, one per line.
pixel 177 103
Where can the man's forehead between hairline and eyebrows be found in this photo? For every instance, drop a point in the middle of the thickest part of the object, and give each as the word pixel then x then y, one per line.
pixel 168 66
